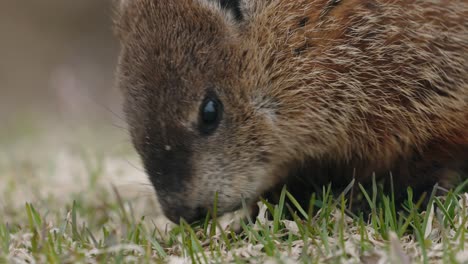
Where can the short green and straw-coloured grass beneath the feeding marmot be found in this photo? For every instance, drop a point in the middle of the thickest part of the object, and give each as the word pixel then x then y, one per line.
pixel 96 222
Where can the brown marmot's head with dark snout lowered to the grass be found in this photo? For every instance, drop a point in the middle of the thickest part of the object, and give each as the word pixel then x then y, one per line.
pixel 195 115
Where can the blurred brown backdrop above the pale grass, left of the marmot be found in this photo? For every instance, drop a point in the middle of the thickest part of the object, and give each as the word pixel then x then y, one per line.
pixel 57 61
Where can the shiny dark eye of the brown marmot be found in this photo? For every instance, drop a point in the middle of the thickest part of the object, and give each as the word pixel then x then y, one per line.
pixel 210 115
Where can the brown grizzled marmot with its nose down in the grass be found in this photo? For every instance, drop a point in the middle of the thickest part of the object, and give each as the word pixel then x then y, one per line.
pixel 234 96
